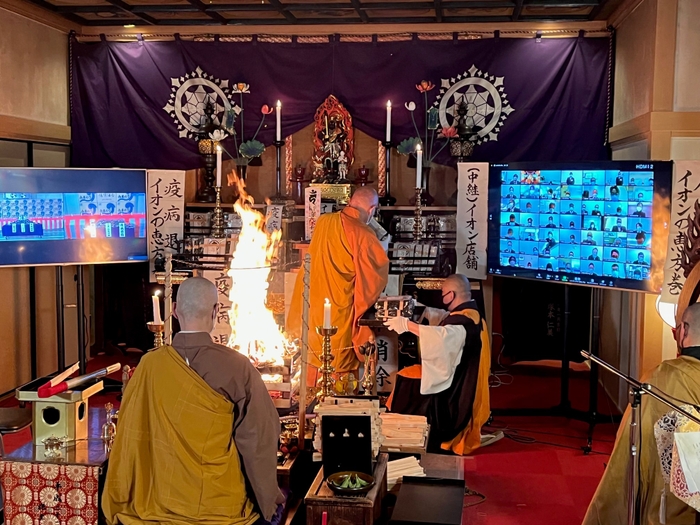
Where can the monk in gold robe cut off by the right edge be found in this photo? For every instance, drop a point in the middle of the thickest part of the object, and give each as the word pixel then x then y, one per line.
pixel 679 378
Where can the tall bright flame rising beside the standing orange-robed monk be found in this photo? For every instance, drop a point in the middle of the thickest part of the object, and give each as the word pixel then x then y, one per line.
pixel 254 331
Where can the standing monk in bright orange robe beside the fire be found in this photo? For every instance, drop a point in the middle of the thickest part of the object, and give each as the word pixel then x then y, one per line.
pixel 350 268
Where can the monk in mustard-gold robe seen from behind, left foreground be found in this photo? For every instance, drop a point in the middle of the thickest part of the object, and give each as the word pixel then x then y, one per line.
pixel 196 428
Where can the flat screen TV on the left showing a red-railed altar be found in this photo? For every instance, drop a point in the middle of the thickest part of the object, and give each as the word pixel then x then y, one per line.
pixel 72 216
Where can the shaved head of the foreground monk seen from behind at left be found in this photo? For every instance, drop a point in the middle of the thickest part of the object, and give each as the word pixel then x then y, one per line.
pixel 196 302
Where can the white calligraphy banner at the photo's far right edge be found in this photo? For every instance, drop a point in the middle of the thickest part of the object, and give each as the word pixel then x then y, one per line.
pixel 683 234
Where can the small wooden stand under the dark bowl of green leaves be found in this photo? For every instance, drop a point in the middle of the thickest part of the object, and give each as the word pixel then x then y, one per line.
pixel 346 510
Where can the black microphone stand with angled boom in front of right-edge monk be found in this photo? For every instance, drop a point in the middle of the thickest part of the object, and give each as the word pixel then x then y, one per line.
pixel 636 391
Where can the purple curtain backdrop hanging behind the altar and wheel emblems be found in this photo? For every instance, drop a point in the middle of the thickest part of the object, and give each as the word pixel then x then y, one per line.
pixel 557 89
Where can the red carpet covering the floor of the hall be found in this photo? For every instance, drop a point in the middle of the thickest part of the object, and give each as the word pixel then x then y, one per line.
pixel 537 475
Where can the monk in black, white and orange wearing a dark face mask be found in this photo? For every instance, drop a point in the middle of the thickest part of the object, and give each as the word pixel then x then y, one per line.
pixel 450 387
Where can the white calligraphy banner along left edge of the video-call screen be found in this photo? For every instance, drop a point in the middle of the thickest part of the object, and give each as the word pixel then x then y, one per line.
pixel 472 218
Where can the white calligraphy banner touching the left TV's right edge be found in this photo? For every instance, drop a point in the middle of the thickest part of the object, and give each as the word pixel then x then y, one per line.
pixel 166 212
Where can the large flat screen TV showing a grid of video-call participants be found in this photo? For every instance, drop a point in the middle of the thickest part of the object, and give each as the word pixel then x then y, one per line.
pixel 593 224
